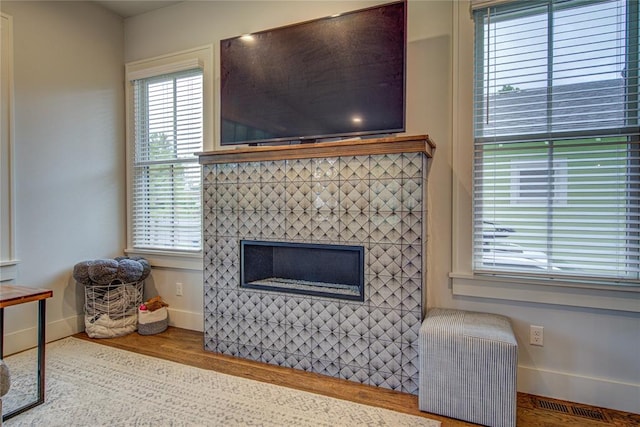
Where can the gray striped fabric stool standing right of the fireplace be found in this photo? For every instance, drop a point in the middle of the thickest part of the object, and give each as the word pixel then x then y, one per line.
pixel 468 364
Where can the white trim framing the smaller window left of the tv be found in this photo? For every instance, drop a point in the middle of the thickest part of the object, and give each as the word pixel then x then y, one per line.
pixel 202 57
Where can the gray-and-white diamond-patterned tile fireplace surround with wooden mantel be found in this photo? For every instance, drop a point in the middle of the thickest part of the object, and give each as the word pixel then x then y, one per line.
pixel 369 193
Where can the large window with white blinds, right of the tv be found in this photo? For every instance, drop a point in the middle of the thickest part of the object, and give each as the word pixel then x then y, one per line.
pixel 556 140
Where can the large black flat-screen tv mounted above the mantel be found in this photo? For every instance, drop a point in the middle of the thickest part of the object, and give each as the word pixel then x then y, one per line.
pixel 332 77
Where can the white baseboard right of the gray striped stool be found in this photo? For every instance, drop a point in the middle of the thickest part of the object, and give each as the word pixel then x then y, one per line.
pixel 600 392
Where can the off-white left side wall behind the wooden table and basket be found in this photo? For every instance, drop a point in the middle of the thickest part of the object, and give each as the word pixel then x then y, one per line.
pixel 69 159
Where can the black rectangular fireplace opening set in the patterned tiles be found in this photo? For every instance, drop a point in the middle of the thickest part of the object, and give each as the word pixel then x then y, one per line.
pixel 333 271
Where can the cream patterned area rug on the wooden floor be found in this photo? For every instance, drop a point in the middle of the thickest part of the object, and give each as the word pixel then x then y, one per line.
pixel 94 385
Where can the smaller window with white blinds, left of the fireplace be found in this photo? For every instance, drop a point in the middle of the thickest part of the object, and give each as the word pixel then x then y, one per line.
pixel 168 131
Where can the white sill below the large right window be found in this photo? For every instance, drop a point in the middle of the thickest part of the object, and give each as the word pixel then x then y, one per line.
pixel 606 297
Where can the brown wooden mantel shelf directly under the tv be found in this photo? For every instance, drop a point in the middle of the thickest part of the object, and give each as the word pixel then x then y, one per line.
pixel 391 145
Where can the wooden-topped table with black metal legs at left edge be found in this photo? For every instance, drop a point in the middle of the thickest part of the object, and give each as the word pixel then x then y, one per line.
pixel 14 295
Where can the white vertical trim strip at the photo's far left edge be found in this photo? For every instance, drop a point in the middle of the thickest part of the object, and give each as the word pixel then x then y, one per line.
pixel 8 261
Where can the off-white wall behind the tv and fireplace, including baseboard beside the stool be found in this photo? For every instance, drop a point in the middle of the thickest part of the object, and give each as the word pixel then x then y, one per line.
pixel 589 356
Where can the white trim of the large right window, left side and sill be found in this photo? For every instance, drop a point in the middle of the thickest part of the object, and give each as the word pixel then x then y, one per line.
pixel 464 282
